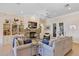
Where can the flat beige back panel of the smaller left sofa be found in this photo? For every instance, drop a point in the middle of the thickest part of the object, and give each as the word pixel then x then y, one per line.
pixel 24 50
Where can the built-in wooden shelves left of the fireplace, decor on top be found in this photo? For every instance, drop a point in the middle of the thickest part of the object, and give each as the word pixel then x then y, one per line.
pixel 13 28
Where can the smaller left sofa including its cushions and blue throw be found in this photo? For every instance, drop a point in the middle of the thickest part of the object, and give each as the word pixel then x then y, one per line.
pixel 24 47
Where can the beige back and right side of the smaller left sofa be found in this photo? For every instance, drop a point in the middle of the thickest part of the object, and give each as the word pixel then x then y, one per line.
pixel 26 50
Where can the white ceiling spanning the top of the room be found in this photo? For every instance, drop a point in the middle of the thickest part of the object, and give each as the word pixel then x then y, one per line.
pixel 28 9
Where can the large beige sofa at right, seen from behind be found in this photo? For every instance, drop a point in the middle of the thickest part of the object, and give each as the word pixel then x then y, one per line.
pixel 58 46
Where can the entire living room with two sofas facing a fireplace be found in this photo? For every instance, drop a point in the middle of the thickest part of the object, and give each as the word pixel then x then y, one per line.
pixel 36 29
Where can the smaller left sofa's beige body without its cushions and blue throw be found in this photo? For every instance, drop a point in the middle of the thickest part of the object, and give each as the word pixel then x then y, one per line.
pixel 29 49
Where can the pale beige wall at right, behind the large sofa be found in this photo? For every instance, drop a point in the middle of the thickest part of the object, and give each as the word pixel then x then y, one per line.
pixel 68 20
